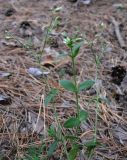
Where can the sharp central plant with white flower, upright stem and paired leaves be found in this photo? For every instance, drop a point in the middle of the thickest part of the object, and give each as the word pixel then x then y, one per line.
pixel 74 45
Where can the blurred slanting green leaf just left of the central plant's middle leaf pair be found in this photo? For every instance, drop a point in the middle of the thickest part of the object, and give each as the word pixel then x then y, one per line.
pixel 51 95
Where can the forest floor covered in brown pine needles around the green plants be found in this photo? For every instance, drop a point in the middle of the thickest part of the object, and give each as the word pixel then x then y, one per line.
pixel 24 119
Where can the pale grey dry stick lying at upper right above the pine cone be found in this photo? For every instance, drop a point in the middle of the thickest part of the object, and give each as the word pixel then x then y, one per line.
pixel 118 34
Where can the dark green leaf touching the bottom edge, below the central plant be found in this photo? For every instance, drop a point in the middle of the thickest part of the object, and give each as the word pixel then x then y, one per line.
pixel 74 152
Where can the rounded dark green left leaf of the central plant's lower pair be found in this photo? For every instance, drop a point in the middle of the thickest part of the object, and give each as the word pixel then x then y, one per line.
pixel 72 122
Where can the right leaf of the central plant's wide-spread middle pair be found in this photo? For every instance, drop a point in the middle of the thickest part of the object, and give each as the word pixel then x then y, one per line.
pixel 86 84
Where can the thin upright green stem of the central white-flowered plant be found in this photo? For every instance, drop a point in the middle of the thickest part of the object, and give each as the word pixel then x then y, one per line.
pixel 76 85
